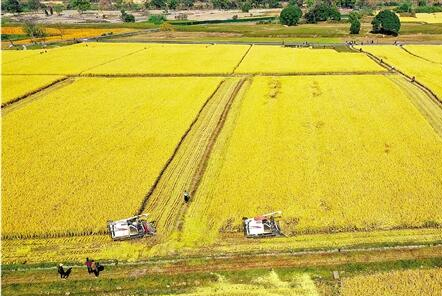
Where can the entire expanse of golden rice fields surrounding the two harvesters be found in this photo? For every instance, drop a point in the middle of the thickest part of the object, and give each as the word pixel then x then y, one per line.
pixel 336 153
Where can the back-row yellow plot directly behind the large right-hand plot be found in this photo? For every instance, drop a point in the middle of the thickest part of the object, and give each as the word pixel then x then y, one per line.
pixel 276 59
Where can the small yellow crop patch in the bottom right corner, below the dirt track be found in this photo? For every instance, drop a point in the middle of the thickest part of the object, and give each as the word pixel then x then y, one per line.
pixel 423 282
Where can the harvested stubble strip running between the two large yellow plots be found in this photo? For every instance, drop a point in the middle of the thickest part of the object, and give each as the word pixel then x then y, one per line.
pixel 165 201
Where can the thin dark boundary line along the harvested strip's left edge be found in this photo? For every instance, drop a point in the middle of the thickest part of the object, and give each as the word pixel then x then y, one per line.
pixel 175 151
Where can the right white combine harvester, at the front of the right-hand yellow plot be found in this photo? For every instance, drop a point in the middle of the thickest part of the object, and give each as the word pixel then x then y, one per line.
pixel 262 226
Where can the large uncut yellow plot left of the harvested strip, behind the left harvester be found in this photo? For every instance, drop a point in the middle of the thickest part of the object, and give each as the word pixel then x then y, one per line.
pixel 90 151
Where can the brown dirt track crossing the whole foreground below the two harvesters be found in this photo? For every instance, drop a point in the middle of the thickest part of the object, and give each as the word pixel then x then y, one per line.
pixel 233 263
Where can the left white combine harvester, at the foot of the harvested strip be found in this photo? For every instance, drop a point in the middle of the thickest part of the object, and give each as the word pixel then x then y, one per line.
pixel 130 228
